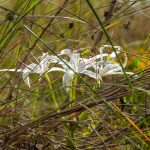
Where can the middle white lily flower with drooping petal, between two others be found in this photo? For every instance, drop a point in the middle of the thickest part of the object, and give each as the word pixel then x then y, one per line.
pixel 76 65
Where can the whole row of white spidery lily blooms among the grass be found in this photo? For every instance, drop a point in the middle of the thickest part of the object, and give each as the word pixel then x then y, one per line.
pixel 101 65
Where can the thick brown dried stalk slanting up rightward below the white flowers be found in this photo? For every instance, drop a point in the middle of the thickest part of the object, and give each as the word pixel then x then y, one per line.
pixel 16 132
